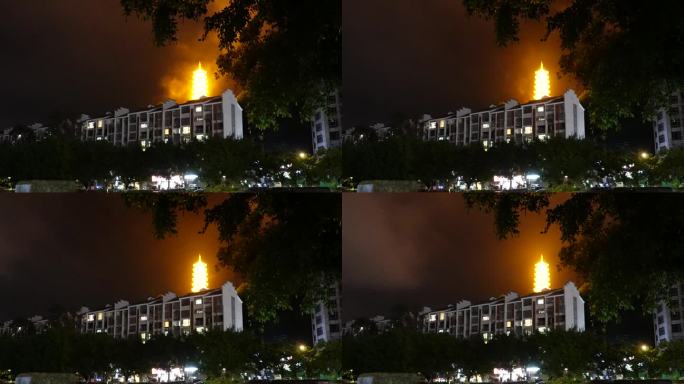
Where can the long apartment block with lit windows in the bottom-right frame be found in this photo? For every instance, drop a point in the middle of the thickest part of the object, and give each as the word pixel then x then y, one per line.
pixel 561 308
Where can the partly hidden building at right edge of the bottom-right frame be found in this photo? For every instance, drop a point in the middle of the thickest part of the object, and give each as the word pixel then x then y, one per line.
pixel 667 320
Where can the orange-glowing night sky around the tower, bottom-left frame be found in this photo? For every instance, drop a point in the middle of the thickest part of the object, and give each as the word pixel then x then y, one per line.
pixel 76 250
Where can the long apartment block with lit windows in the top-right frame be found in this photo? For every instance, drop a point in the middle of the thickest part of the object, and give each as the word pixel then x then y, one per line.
pixel 561 116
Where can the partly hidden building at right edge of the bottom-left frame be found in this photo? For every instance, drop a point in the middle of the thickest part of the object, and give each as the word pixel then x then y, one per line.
pixel 326 320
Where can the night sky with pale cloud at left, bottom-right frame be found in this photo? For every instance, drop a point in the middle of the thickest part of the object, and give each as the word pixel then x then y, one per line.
pixel 418 250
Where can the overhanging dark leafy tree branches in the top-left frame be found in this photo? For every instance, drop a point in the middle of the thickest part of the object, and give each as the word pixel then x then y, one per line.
pixel 286 54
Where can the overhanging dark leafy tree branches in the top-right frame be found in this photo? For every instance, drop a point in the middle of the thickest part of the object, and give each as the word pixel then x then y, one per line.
pixel 627 63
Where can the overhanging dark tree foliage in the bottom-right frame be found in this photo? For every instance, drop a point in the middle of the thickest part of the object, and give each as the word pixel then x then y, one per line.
pixel 622 245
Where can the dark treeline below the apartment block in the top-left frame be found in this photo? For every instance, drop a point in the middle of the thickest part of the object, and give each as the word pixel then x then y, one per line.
pixel 222 164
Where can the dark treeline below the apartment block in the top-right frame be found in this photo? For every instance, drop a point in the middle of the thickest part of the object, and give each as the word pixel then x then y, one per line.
pixel 563 164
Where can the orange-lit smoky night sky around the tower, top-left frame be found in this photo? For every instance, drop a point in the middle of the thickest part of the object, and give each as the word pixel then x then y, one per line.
pixel 83 56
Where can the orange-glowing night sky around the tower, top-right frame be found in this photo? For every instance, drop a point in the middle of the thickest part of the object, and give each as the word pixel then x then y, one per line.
pixel 414 57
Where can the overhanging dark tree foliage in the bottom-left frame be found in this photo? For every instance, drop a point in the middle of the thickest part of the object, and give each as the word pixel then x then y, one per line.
pixel 285 246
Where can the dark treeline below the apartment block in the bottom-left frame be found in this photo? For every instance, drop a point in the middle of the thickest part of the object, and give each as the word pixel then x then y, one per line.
pixel 217 354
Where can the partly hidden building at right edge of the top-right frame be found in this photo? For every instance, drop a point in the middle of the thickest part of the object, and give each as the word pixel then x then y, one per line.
pixel 667 127
